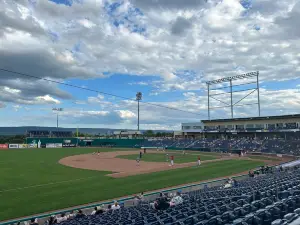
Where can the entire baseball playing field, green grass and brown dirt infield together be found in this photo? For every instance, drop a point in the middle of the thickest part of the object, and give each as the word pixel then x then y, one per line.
pixel 40 180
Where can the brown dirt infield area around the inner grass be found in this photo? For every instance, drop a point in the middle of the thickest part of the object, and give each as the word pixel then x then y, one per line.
pixel 107 161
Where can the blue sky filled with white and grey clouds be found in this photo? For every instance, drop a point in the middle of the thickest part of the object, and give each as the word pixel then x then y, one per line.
pixel 166 49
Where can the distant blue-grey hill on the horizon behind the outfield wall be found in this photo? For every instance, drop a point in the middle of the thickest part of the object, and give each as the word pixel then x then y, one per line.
pixel 92 131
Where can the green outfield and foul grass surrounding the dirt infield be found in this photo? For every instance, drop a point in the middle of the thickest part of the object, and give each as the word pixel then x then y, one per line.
pixel 32 181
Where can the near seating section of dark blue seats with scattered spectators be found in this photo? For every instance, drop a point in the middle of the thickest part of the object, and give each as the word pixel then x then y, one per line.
pixel 268 197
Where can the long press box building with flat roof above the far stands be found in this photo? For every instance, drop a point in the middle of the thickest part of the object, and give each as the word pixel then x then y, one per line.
pixel 283 127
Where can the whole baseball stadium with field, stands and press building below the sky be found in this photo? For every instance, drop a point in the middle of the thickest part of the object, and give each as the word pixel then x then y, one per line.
pixel 221 171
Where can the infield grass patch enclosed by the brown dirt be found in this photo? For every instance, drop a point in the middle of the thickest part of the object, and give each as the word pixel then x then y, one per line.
pixel 178 157
